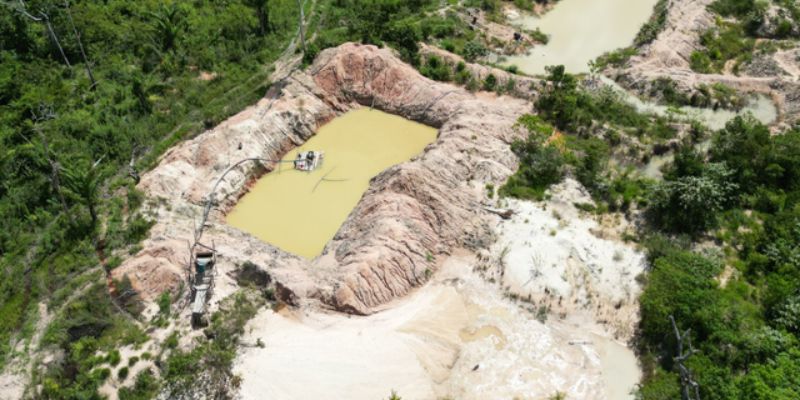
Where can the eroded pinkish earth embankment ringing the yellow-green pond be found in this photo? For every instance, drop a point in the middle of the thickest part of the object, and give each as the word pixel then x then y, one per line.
pixel 411 214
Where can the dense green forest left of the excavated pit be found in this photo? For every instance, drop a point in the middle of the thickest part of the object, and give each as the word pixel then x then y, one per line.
pixel 87 88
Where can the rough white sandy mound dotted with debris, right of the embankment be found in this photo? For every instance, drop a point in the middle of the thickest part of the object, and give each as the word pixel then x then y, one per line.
pixel 551 254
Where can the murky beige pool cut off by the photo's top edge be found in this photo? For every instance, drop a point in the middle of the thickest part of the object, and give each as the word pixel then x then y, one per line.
pixel 580 31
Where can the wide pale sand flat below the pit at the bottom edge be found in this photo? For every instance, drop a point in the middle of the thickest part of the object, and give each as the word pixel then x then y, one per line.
pixel 427 346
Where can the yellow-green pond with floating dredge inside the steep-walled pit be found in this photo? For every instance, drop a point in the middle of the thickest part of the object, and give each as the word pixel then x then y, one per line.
pixel 299 211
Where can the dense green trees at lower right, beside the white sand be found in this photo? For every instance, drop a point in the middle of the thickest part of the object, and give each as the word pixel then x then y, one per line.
pixel 740 296
